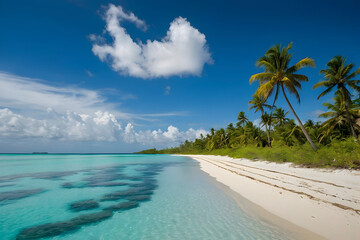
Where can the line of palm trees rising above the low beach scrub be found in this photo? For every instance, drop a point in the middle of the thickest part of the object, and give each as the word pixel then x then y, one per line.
pixel 341 120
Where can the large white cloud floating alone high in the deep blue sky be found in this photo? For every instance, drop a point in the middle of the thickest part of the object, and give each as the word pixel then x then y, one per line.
pixel 183 51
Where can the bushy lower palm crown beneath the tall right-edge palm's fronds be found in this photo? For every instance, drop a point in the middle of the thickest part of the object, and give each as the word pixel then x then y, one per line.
pixel 338 115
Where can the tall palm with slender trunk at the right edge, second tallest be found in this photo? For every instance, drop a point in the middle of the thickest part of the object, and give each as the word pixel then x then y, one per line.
pixel 338 74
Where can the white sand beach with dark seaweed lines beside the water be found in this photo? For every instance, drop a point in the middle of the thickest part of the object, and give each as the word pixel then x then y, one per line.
pixel 325 202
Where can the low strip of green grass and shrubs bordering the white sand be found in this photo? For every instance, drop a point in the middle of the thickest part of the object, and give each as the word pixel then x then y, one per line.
pixel 339 154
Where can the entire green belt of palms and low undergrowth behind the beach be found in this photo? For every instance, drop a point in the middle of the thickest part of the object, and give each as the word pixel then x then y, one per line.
pixel 332 143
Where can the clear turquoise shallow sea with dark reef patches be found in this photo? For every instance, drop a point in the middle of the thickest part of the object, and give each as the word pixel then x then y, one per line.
pixel 117 197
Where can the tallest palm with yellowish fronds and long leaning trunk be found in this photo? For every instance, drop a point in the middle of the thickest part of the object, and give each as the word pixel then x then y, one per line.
pixel 277 74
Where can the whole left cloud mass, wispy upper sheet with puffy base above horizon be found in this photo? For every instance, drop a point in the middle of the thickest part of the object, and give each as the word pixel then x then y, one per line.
pixel 33 109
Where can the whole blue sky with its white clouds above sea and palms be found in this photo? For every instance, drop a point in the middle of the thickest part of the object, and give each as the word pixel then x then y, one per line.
pixel 49 70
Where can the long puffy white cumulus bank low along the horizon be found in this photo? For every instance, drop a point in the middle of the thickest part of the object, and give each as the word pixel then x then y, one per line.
pixel 100 126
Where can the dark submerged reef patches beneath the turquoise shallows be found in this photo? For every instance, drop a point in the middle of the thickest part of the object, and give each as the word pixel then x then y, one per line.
pixel 139 188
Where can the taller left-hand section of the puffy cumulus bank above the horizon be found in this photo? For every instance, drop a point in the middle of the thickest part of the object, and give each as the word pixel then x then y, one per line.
pixel 100 126
